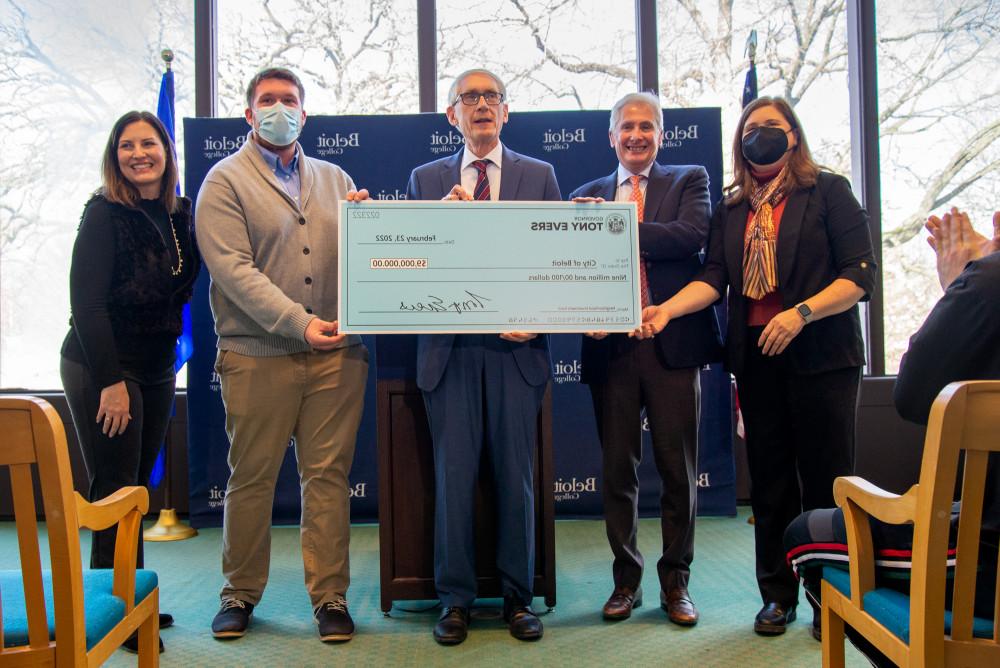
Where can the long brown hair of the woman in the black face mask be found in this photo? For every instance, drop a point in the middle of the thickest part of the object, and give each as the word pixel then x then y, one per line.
pixel 802 169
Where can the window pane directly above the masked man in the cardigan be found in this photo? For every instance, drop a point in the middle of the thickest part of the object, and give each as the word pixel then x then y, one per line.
pixel 353 56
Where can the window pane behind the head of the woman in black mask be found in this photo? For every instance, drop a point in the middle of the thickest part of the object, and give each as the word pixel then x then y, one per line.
pixel 801 56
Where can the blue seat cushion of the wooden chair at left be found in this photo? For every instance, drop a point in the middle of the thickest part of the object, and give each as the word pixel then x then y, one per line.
pixel 102 610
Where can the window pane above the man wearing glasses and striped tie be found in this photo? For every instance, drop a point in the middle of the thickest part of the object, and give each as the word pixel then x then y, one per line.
pixel 552 54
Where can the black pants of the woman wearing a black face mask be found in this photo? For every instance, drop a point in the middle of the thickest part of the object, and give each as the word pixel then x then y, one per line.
pixel 800 437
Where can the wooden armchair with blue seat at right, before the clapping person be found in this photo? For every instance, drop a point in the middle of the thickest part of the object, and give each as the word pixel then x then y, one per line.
pixel 916 630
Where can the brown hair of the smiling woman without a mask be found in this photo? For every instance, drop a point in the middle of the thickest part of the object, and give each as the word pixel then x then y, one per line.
pixel 115 187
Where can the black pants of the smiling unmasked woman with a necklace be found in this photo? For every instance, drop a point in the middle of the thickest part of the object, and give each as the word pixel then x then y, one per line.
pixel 126 459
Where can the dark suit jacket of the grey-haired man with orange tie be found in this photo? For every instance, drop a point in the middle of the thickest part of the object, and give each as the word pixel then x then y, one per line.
pixel 676 210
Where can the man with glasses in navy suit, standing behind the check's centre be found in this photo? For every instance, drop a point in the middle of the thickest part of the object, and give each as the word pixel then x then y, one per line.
pixel 483 391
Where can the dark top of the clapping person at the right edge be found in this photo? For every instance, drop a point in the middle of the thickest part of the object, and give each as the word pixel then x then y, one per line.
pixel 960 340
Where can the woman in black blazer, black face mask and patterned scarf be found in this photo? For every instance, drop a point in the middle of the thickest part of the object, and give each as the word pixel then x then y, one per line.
pixel 793 247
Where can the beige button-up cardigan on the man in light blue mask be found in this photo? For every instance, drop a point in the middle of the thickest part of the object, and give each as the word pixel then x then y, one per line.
pixel 273 263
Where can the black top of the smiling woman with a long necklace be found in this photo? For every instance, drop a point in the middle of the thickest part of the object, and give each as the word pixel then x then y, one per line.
pixel 126 304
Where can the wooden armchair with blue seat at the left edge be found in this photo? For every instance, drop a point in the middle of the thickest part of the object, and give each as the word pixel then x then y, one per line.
pixel 68 616
